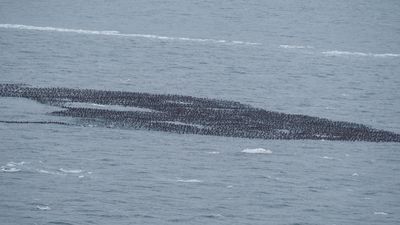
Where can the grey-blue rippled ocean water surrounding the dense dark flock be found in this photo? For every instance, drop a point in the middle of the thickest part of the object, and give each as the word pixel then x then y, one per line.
pixel 338 60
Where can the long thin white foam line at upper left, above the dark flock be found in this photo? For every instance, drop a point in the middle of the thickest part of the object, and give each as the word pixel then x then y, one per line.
pixel 117 33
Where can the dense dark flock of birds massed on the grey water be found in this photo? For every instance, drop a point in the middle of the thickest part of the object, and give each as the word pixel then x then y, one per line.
pixel 191 115
